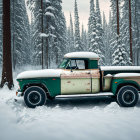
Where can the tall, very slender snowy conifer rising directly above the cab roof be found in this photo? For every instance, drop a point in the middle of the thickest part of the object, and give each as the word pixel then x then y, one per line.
pixel 78 45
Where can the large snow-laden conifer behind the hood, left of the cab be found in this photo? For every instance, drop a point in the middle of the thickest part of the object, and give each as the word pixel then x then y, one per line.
pixel 55 30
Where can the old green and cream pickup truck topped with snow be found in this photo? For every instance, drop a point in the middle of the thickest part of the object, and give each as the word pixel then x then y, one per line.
pixel 78 75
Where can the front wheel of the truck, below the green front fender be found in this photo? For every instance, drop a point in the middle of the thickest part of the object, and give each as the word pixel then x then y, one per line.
pixel 34 96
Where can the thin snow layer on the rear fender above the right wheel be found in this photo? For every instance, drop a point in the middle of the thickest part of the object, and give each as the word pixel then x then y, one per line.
pixel 127 75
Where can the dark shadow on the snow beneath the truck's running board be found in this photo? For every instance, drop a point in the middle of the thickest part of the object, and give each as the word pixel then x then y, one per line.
pixel 89 102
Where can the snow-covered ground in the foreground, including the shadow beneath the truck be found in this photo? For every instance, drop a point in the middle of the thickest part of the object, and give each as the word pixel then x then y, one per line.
pixel 68 119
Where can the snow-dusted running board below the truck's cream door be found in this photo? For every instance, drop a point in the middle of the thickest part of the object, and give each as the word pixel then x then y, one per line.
pixel 86 95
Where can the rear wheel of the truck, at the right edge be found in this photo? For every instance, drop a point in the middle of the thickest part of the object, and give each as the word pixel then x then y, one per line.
pixel 127 96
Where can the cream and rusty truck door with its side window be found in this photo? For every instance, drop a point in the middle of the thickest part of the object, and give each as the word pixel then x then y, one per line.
pixel 76 79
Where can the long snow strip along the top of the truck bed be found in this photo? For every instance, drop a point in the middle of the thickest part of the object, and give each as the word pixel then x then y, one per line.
pixel 114 68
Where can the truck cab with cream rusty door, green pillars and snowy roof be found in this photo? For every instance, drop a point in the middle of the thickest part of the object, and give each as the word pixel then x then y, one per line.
pixel 81 74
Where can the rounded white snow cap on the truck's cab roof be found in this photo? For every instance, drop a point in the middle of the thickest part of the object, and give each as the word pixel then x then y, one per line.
pixel 88 55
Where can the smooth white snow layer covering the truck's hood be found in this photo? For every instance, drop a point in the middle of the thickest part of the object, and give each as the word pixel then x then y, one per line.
pixel 40 74
